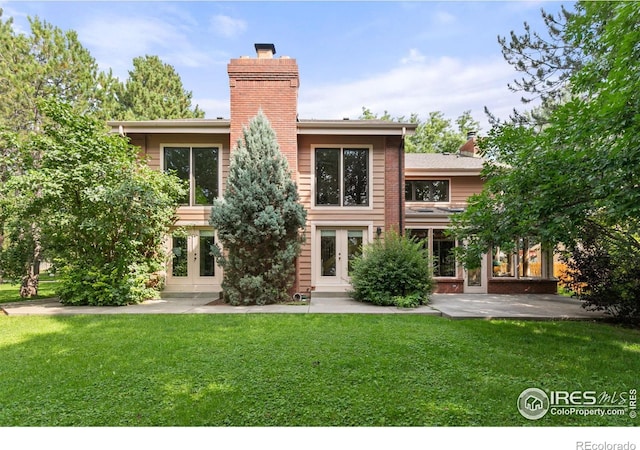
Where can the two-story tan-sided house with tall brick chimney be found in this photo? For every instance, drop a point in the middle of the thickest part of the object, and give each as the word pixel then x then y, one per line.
pixel 350 175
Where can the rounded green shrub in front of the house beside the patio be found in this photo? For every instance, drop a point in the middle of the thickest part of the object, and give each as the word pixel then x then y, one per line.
pixel 392 271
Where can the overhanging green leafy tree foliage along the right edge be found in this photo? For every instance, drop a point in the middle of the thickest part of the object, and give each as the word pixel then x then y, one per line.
pixel 578 174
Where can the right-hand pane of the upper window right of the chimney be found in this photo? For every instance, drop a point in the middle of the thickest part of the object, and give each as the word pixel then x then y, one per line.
pixel 356 177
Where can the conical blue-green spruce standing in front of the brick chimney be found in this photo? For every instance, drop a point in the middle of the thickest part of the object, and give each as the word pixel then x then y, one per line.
pixel 258 221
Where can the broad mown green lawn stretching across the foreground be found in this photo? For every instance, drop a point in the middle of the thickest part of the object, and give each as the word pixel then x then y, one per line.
pixel 301 370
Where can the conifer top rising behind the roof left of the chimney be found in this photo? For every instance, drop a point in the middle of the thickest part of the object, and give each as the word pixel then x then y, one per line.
pixel 154 90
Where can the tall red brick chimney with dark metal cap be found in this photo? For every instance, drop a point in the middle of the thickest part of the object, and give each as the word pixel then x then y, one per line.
pixel 271 85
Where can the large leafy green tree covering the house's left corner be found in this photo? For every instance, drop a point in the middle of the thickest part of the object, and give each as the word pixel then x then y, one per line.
pixel 102 214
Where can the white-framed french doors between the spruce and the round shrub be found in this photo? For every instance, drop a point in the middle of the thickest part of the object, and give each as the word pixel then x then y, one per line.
pixel 336 249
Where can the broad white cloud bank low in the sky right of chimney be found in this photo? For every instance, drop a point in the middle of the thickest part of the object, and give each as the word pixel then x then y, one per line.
pixel 446 84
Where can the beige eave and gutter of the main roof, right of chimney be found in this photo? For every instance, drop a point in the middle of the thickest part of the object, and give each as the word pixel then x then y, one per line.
pixel 356 127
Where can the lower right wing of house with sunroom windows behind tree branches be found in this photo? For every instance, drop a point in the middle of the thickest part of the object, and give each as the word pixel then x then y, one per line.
pixel 438 186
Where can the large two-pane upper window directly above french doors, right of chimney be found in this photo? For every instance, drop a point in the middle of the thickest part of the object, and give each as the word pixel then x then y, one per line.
pixel 342 176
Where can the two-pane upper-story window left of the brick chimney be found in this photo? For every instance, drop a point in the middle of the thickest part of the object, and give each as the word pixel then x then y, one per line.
pixel 199 166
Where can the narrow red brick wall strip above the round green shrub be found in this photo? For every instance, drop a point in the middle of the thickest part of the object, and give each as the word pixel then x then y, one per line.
pixel 393 184
